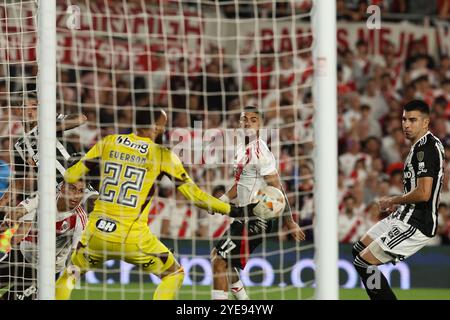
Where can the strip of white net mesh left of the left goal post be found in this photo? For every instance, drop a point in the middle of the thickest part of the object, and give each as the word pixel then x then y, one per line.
pixel 18 74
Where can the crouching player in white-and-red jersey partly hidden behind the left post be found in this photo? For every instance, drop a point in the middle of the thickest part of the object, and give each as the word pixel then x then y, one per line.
pixel 18 270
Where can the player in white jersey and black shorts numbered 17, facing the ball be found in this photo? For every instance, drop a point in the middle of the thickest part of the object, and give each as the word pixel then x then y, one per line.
pixel 254 166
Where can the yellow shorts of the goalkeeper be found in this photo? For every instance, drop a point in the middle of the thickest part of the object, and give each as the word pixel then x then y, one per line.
pixel 149 254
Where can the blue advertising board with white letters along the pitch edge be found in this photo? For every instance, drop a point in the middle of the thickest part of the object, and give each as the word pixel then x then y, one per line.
pixel 429 268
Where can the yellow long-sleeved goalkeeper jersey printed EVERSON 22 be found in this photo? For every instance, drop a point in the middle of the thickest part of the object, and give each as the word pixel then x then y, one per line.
pixel 129 166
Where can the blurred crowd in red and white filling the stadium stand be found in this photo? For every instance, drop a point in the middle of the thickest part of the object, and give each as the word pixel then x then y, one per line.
pixel 371 93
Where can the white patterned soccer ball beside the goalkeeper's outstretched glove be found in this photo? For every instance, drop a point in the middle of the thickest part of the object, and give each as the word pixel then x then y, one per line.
pixel 271 203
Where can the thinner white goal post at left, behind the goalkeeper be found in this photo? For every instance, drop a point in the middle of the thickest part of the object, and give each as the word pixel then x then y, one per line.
pixel 46 85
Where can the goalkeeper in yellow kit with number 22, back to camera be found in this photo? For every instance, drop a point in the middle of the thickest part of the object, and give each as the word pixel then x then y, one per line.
pixel 117 227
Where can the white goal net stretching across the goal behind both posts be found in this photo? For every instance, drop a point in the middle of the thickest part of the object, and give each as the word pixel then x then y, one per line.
pixel 202 62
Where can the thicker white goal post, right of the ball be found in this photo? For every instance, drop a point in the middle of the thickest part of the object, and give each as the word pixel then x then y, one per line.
pixel 325 130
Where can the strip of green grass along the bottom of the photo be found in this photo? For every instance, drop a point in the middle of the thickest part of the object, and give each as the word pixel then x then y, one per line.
pixel 137 292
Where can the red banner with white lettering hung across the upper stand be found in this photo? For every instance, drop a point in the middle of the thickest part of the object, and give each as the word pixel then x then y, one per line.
pixel 123 36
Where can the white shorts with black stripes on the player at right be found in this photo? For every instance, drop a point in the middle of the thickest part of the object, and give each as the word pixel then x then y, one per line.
pixel 398 238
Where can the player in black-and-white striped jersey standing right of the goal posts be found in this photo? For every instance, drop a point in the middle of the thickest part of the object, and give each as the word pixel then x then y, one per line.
pixel 413 223
